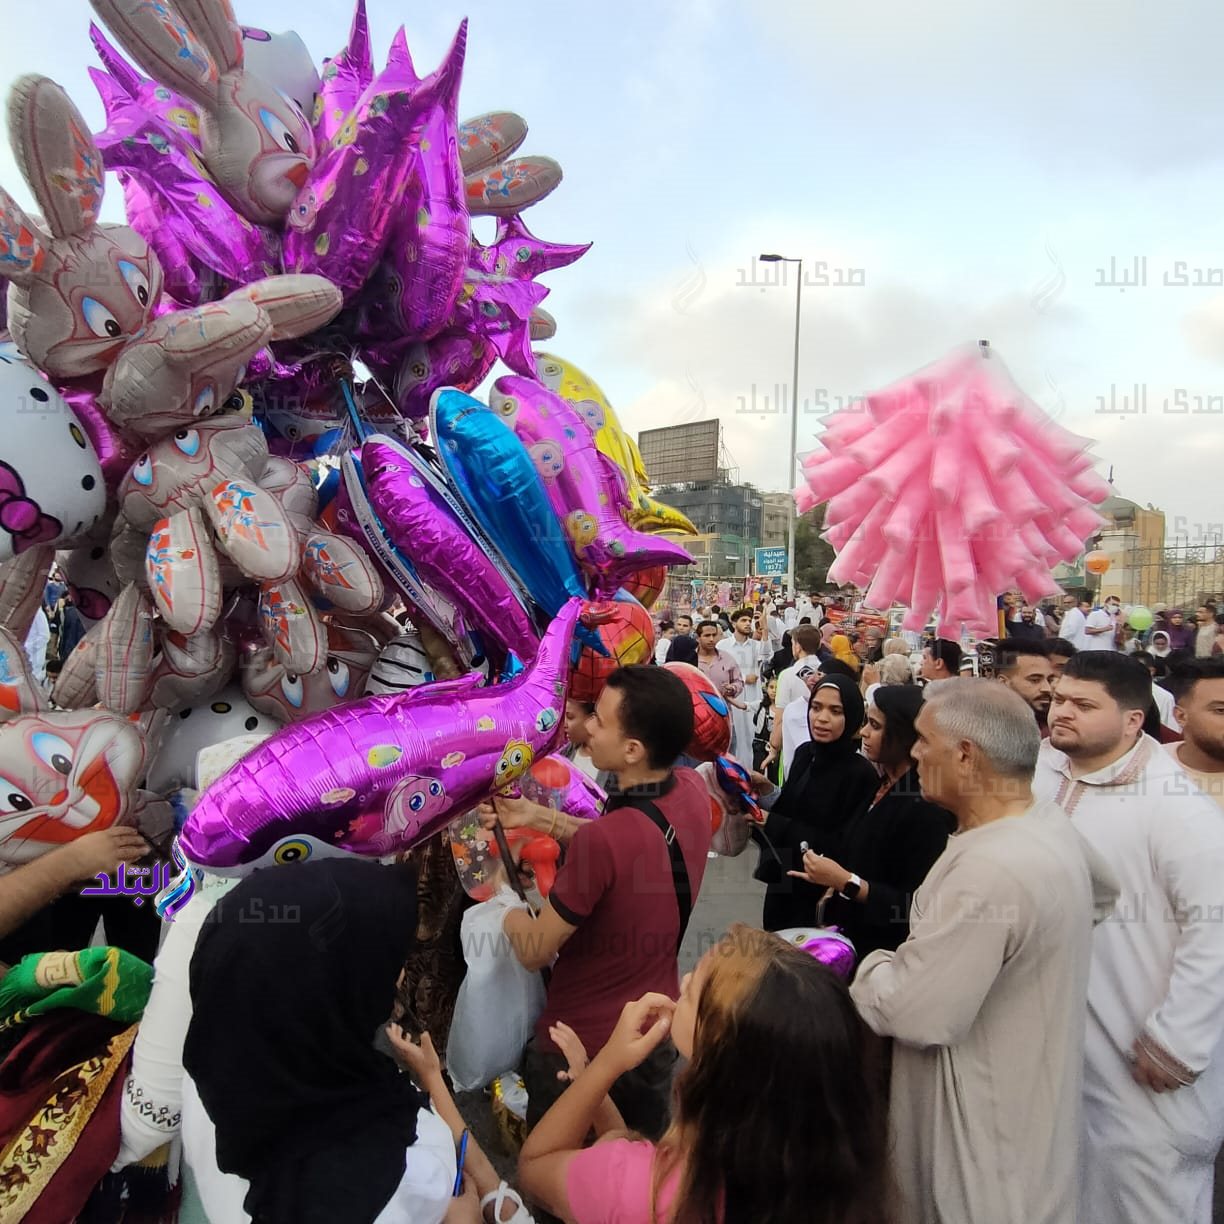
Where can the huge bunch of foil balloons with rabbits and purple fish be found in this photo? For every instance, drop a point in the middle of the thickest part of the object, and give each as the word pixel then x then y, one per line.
pixel 242 423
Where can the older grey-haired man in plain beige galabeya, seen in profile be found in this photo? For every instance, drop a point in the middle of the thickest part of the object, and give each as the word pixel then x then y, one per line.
pixel 986 998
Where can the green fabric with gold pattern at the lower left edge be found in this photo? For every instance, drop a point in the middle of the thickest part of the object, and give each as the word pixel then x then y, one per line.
pixel 103 981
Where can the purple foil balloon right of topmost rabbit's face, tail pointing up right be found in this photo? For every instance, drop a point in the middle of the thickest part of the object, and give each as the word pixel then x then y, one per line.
pixel 343 218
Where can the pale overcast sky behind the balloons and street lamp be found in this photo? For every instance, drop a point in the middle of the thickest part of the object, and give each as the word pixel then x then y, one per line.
pixel 983 171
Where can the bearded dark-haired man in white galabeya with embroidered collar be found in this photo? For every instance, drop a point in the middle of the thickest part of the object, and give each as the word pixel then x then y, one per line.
pixel 1154 1092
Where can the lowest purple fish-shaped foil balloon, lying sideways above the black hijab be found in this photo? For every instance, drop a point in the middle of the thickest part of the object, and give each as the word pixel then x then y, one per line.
pixel 382 774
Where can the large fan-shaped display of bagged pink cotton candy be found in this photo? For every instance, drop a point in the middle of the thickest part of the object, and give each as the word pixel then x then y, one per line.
pixel 950 488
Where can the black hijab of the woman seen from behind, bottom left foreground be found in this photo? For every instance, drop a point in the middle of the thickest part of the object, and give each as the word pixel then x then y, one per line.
pixel 281 1045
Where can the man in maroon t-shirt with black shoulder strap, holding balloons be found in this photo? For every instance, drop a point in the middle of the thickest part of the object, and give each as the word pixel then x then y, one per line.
pixel 614 917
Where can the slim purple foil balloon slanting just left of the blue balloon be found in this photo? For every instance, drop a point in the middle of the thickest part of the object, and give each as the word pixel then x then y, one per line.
pixel 444 553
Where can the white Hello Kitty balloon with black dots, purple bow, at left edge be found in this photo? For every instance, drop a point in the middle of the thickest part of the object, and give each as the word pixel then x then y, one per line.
pixel 51 482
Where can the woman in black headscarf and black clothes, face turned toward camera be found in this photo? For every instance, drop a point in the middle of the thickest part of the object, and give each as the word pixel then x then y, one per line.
pixel 829 782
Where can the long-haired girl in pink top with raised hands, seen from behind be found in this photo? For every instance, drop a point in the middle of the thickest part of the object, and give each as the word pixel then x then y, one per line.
pixel 777 1116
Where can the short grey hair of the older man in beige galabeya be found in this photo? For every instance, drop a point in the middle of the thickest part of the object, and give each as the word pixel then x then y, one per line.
pixel 997 720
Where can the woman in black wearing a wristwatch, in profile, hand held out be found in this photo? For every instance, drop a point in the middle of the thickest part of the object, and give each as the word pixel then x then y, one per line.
pixel 890 846
